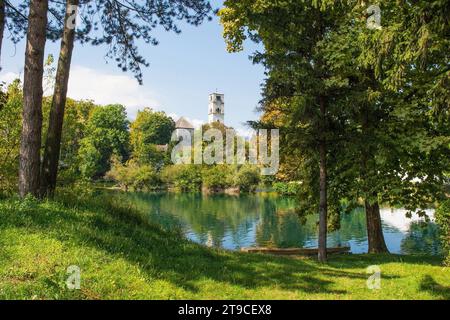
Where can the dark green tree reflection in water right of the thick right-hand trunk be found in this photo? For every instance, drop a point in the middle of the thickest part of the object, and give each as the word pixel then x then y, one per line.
pixel 422 237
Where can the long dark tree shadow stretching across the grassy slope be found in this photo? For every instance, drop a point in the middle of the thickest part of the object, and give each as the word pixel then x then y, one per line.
pixel 164 255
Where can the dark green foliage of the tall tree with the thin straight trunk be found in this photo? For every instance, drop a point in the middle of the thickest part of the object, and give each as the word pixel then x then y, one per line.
pixel 301 88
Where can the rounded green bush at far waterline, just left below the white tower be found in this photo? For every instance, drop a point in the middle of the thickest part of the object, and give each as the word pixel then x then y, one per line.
pixel 186 178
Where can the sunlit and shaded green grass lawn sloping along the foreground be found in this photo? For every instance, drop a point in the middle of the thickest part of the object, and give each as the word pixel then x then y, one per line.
pixel 123 256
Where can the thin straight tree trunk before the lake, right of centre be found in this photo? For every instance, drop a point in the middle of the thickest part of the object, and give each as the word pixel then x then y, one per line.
pixel 323 209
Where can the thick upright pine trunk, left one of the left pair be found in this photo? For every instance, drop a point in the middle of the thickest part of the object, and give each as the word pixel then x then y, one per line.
pixel 30 142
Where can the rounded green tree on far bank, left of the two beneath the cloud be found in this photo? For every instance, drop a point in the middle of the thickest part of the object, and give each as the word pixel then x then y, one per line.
pixel 106 135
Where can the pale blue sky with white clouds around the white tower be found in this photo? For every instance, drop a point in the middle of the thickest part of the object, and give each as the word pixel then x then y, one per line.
pixel 184 69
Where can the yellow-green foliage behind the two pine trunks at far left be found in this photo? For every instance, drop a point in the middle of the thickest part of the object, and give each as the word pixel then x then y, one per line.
pixel 74 129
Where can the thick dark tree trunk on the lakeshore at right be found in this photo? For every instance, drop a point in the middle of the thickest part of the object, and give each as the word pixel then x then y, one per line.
pixel 374 229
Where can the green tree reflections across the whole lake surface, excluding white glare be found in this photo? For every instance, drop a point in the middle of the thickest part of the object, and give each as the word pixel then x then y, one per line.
pixel 262 220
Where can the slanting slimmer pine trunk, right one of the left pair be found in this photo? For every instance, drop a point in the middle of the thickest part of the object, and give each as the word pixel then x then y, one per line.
pixel 50 163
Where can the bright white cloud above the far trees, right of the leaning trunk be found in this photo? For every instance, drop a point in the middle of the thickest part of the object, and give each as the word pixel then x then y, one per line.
pixel 104 88
